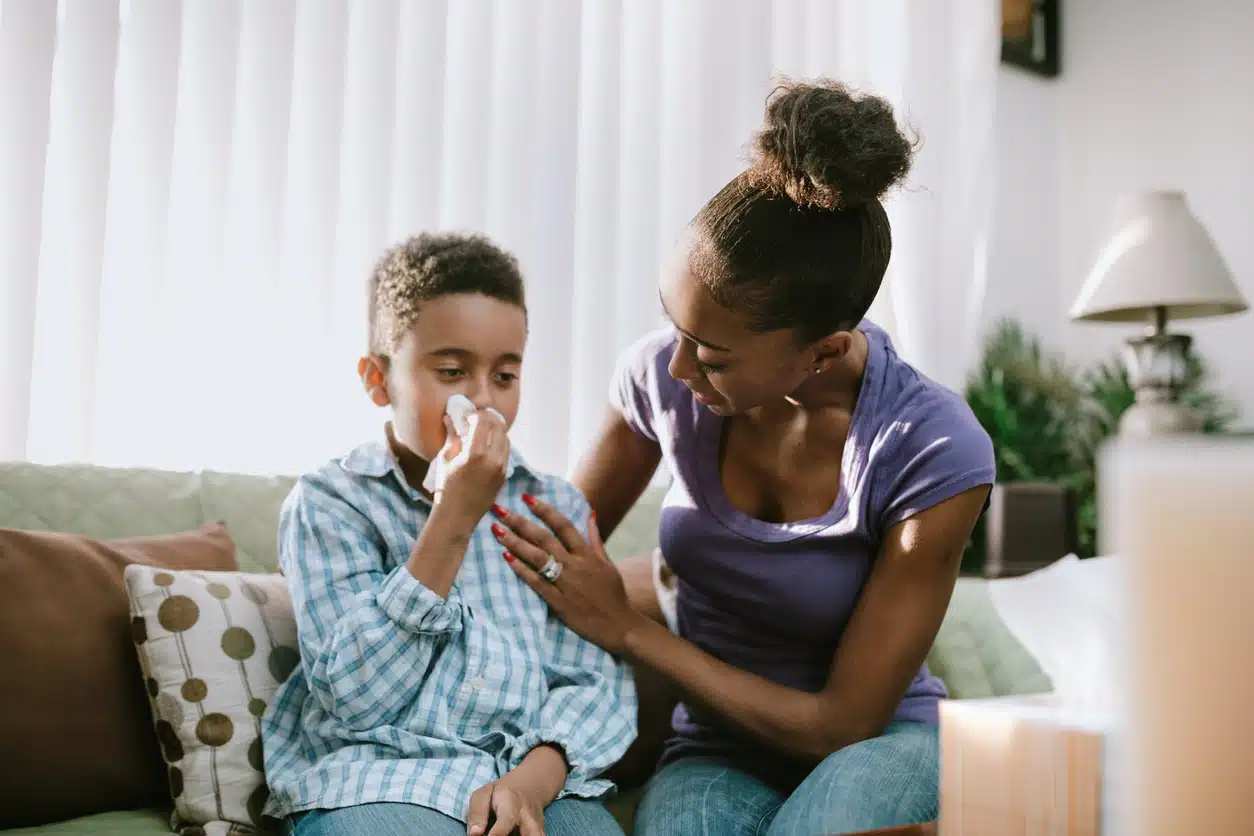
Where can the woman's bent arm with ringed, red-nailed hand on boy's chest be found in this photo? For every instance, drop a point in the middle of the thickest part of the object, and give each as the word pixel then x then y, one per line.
pixel 887 640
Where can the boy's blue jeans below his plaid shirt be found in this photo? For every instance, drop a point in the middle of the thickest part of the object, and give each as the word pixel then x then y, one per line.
pixel 564 818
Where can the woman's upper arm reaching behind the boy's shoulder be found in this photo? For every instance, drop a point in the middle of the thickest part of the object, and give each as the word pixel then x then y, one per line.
pixel 616 471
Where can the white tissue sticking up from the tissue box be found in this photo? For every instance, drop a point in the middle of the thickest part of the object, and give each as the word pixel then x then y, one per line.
pixel 1069 617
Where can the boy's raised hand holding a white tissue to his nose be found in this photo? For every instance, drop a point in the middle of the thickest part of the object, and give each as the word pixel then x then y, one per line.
pixel 468 474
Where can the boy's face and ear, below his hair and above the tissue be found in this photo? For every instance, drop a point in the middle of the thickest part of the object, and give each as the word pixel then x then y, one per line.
pixel 463 344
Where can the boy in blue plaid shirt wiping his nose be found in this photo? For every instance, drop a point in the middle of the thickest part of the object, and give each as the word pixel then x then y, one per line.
pixel 436 694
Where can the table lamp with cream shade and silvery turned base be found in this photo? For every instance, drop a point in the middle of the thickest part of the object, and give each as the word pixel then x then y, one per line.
pixel 1159 264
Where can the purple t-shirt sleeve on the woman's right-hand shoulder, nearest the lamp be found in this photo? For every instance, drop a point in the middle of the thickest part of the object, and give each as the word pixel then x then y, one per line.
pixel 936 457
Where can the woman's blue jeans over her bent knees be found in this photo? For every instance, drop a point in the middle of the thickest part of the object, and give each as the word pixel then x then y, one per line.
pixel 882 783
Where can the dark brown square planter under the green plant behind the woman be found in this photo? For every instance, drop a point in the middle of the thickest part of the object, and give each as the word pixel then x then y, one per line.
pixel 1030 526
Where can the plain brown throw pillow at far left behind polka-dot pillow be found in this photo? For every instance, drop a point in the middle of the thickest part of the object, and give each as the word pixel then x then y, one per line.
pixel 76 730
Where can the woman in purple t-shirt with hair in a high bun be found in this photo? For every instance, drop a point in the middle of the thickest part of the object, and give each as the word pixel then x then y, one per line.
pixel 823 494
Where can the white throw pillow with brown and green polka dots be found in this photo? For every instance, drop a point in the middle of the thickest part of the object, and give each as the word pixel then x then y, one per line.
pixel 214 649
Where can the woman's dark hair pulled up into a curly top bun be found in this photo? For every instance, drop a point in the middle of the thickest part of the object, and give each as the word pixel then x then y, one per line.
pixel 801 240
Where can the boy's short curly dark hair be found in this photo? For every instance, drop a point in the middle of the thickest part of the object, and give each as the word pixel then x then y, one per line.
pixel 429 266
